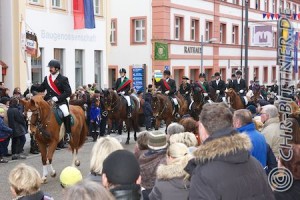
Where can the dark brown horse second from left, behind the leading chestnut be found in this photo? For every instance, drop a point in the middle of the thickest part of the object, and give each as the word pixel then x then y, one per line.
pixel 116 108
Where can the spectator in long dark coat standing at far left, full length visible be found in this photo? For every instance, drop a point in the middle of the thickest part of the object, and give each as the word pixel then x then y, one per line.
pixel 17 123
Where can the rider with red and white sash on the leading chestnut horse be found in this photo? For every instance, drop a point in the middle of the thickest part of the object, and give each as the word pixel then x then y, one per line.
pixel 58 90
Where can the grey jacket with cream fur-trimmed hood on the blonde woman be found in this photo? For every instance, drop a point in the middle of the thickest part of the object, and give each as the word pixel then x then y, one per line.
pixel 171 182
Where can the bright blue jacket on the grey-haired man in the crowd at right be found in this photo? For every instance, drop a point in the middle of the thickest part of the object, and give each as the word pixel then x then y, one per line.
pixel 259 144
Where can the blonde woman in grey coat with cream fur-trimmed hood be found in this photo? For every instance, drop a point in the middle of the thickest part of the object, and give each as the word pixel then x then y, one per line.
pixel 172 181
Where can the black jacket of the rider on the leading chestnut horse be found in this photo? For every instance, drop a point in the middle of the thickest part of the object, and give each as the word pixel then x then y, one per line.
pixel 62 84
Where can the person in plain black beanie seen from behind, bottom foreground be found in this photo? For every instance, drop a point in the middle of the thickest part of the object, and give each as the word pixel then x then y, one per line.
pixel 121 175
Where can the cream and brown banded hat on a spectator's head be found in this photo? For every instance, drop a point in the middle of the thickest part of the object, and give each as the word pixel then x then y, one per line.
pixel 157 140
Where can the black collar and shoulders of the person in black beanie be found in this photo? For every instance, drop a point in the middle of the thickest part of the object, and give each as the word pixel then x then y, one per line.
pixel 127 192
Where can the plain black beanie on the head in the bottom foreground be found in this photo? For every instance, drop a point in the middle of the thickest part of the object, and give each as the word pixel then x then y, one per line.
pixel 121 168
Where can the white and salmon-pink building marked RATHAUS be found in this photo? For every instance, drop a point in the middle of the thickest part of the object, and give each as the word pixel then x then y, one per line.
pixel 137 25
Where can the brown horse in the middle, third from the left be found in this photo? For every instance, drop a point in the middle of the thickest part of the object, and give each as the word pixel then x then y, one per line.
pixel 163 108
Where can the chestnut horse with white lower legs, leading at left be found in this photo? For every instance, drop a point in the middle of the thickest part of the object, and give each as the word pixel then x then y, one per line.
pixel 48 132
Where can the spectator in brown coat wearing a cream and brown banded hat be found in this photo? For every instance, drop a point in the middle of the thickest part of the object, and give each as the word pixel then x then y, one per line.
pixel 149 161
